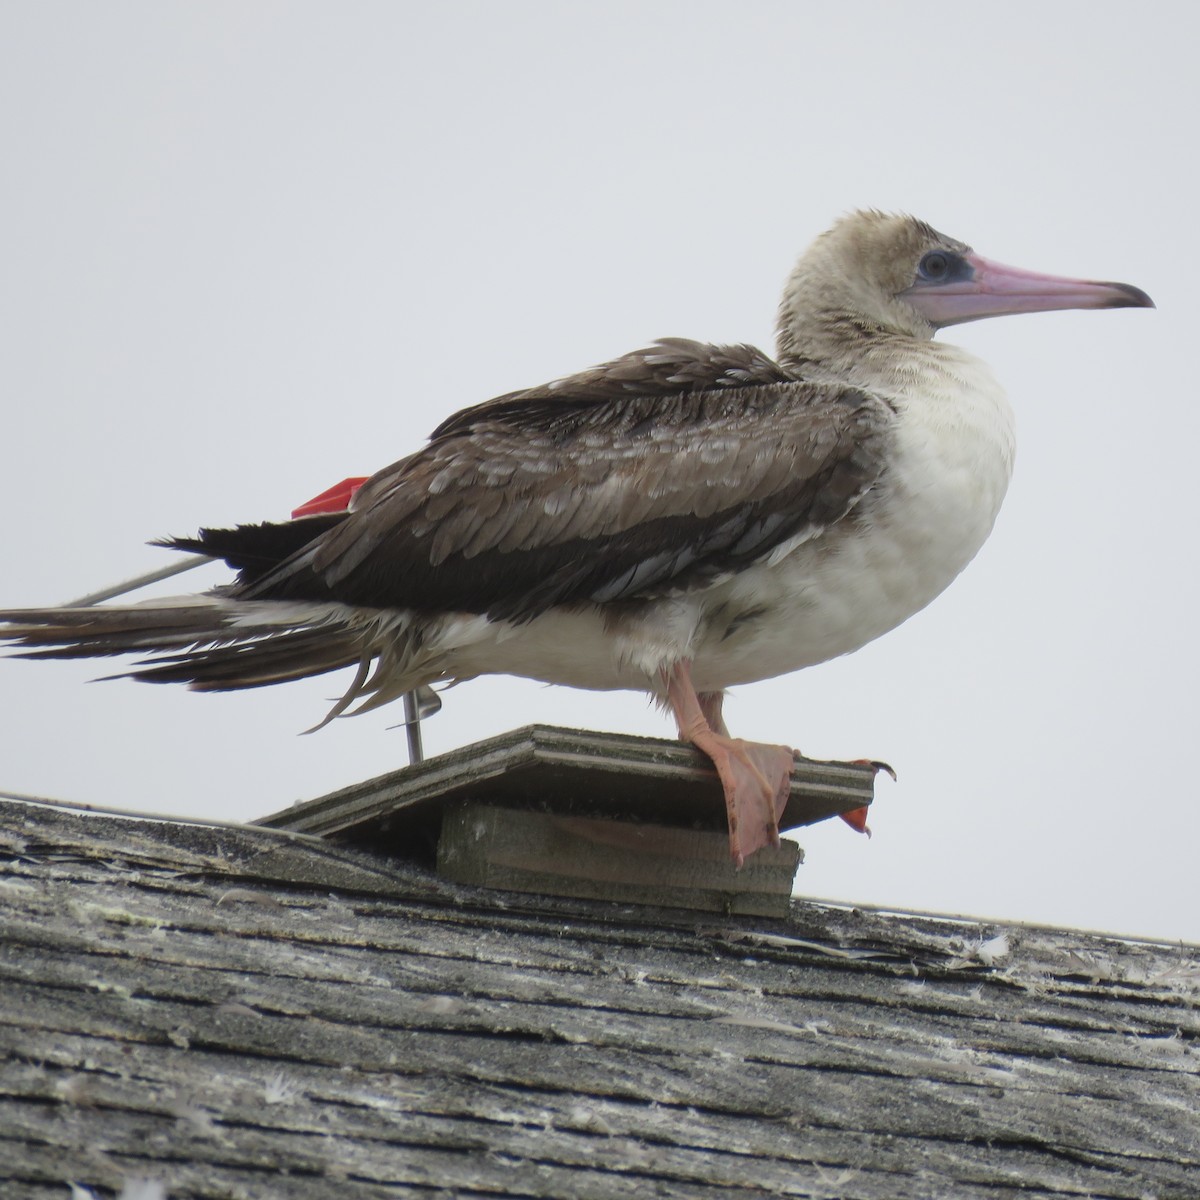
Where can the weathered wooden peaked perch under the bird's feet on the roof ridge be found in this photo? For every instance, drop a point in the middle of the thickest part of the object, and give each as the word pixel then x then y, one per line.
pixel 571 813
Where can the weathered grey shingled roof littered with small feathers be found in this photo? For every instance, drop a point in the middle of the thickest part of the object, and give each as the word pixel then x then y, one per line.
pixel 247 1013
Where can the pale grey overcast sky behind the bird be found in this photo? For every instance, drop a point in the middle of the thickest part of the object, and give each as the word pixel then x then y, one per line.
pixel 251 249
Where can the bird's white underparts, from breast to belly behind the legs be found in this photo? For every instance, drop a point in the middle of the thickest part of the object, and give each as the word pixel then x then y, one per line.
pixel 907 542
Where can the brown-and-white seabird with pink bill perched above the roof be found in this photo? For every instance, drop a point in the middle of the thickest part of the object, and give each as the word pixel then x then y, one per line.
pixel 680 520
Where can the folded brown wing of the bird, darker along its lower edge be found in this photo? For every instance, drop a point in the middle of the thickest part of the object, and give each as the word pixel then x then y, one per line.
pixel 599 491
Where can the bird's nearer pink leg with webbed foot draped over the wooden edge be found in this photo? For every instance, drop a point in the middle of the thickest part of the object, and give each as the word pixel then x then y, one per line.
pixel 757 778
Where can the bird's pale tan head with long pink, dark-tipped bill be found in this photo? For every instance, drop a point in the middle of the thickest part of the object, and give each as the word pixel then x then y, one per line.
pixel 898 275
